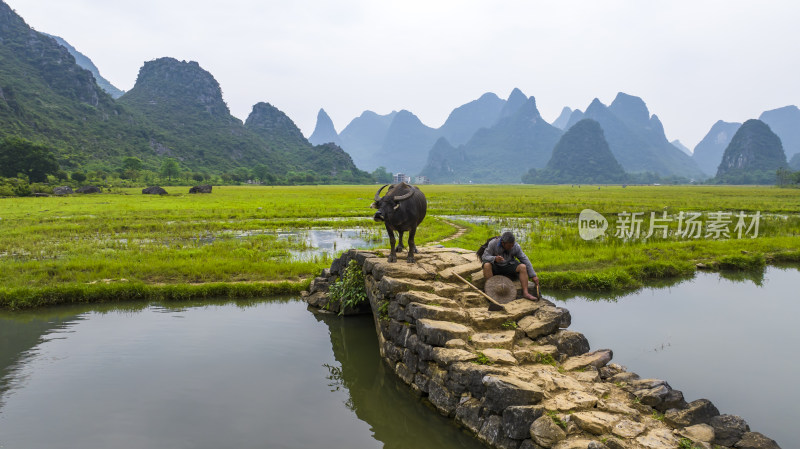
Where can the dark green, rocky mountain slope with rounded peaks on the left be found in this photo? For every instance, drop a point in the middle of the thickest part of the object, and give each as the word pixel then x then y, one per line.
pixel 174 110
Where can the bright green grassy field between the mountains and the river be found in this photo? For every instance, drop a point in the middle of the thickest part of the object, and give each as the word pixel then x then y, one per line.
pixel 125 245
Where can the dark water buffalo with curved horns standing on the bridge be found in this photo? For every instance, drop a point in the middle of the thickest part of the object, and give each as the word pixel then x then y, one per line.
pixel 401 209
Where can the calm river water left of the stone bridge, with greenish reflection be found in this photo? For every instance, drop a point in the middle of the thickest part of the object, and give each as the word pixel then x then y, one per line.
pixel 256 375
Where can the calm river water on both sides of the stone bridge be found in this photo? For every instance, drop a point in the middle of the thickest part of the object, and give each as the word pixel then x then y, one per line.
pixel 271 374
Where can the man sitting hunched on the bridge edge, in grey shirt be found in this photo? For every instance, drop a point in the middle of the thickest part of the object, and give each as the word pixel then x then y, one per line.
pixel 499 258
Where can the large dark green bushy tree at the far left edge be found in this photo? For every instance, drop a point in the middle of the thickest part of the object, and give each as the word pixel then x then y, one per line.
pixel 23 156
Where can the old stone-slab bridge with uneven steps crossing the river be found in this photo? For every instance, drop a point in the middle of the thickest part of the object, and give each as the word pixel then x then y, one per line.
pixel 517 378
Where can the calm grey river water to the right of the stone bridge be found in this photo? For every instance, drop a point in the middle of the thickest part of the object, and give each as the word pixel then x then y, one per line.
pixel 730 340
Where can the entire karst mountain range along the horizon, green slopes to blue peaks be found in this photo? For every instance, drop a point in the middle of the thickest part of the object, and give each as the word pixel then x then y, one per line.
pixel 52 94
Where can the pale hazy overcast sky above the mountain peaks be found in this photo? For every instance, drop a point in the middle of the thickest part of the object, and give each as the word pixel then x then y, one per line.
pixel 693 62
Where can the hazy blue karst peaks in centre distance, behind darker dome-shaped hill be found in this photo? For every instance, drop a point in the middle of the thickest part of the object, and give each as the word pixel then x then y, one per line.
pixel 480 139
